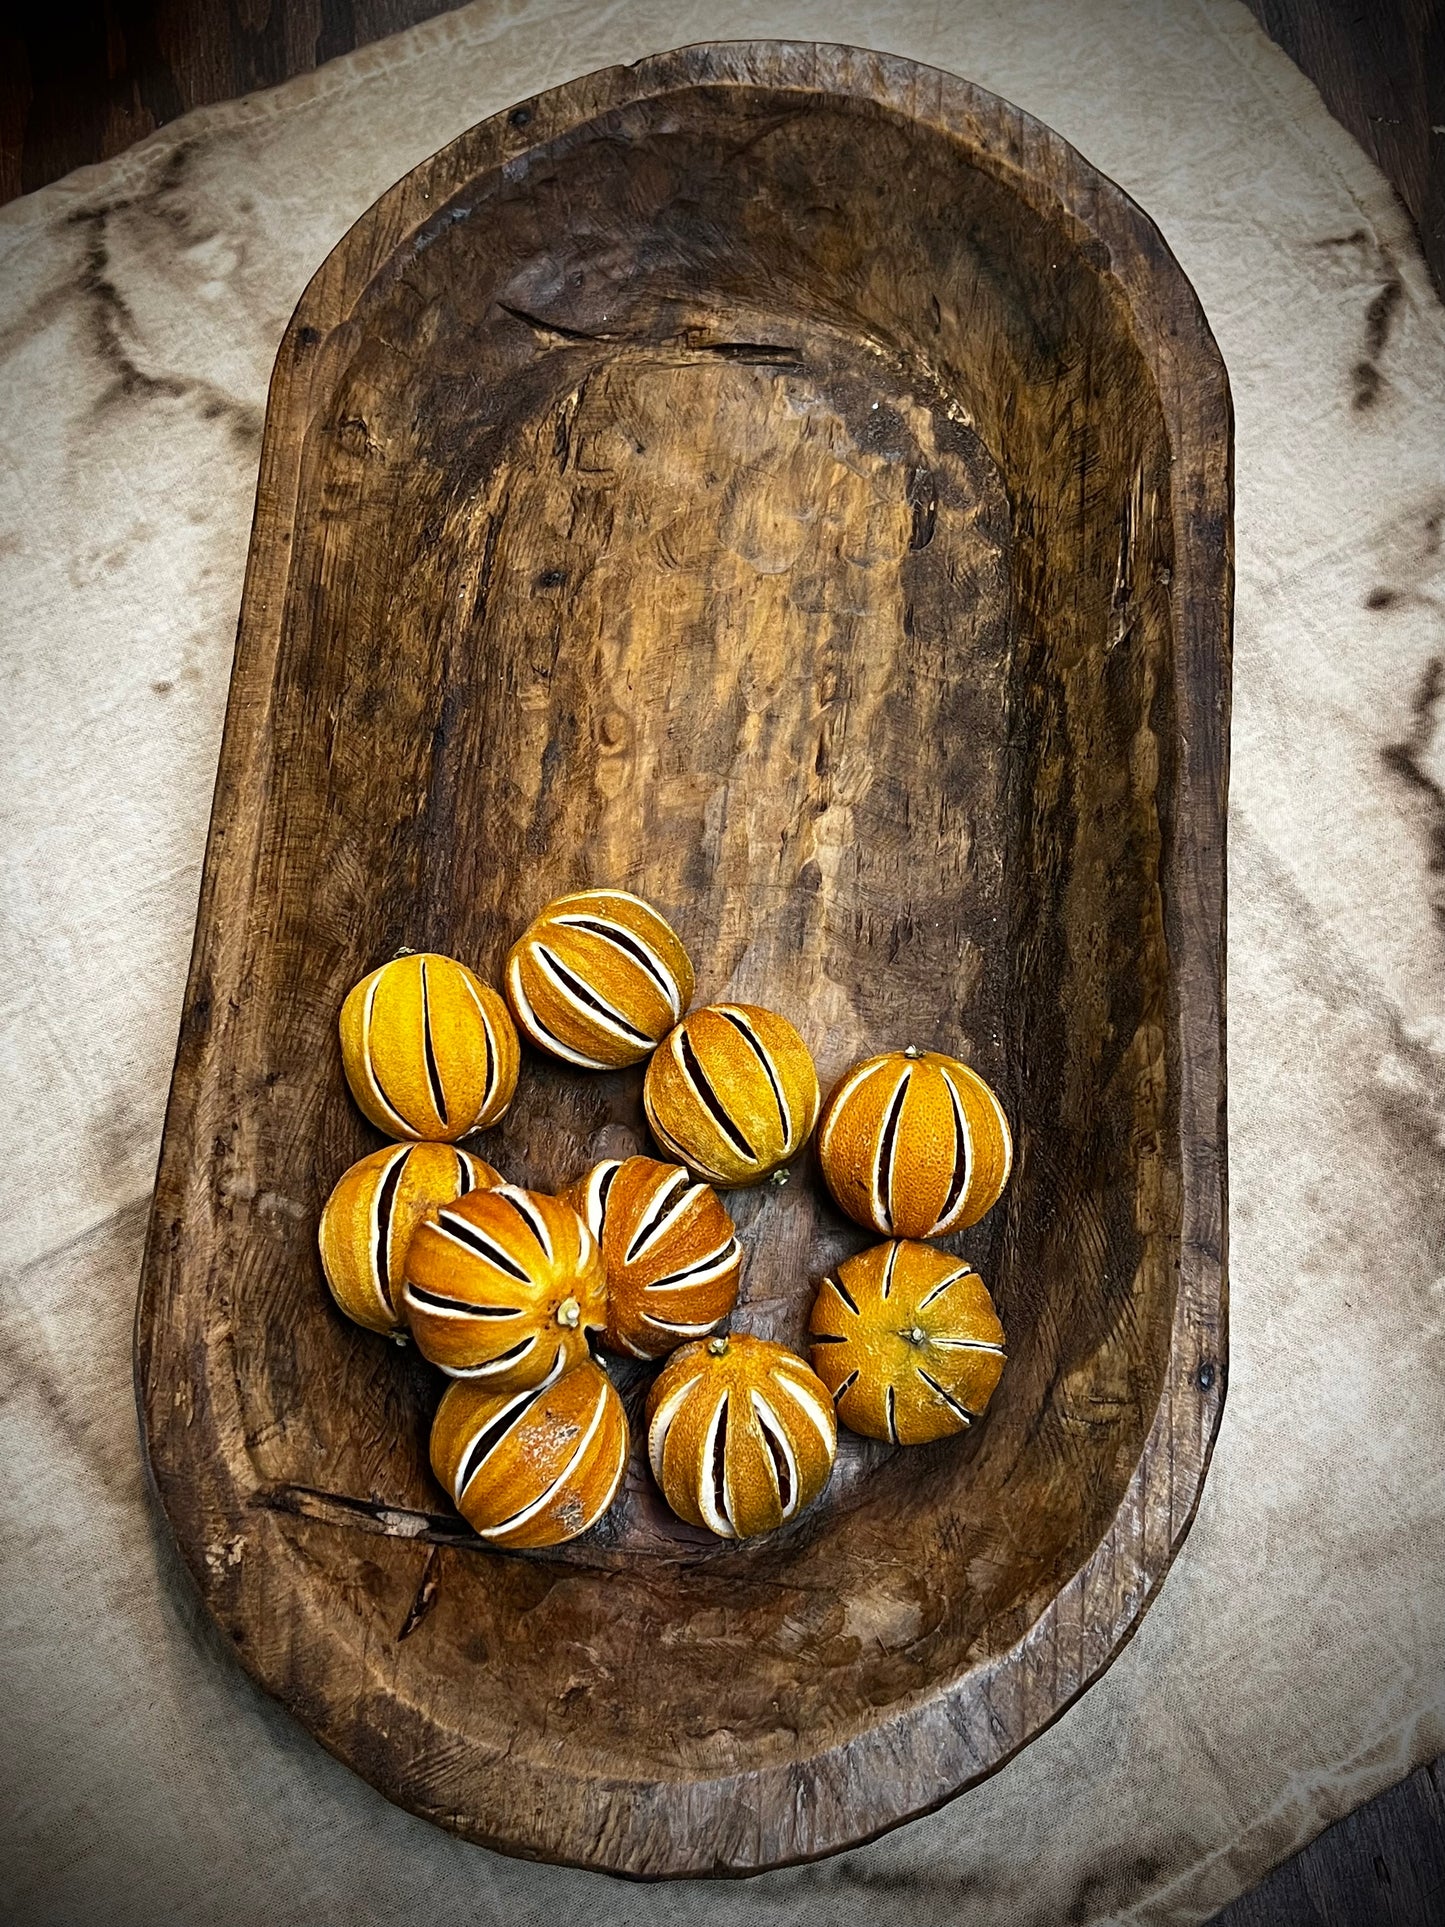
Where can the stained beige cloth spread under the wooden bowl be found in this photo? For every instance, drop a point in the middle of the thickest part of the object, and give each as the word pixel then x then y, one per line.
pixel 1292 1666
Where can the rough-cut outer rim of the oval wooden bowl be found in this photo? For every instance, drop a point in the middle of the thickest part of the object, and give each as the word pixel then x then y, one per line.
pixel 197 1465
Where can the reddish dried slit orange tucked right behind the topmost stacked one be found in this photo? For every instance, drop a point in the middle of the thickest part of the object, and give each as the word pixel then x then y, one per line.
pixel 671 1254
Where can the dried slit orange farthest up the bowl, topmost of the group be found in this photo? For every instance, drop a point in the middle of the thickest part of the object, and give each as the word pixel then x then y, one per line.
pixel 598 980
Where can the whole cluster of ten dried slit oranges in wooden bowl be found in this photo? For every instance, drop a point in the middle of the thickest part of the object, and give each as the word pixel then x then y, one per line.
pixel 506 1288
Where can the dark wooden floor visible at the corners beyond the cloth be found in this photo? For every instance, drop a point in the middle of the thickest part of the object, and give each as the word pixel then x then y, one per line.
pixel 80 80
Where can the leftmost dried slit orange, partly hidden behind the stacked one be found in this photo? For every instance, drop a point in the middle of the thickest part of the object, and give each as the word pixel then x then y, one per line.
pixel 371 1217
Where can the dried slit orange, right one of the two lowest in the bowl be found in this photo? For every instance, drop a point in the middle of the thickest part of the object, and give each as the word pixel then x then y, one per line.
pixel 741 1435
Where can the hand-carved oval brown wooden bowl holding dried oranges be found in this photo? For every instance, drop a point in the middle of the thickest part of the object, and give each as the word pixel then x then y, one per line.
pixel 793 485
